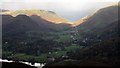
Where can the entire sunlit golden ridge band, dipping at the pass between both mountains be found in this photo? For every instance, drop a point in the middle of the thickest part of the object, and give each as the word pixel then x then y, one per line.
pixel 51 16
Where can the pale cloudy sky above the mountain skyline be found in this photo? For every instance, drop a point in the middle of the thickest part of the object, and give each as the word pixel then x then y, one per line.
pixel 70 9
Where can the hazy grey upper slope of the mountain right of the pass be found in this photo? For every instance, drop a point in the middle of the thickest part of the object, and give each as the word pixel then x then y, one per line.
pixel 101 18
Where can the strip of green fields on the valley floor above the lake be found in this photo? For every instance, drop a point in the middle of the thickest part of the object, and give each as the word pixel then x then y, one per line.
pixel 41 57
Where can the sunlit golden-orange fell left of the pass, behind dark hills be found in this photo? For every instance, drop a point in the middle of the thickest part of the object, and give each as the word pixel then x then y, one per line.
pixel 47 15
